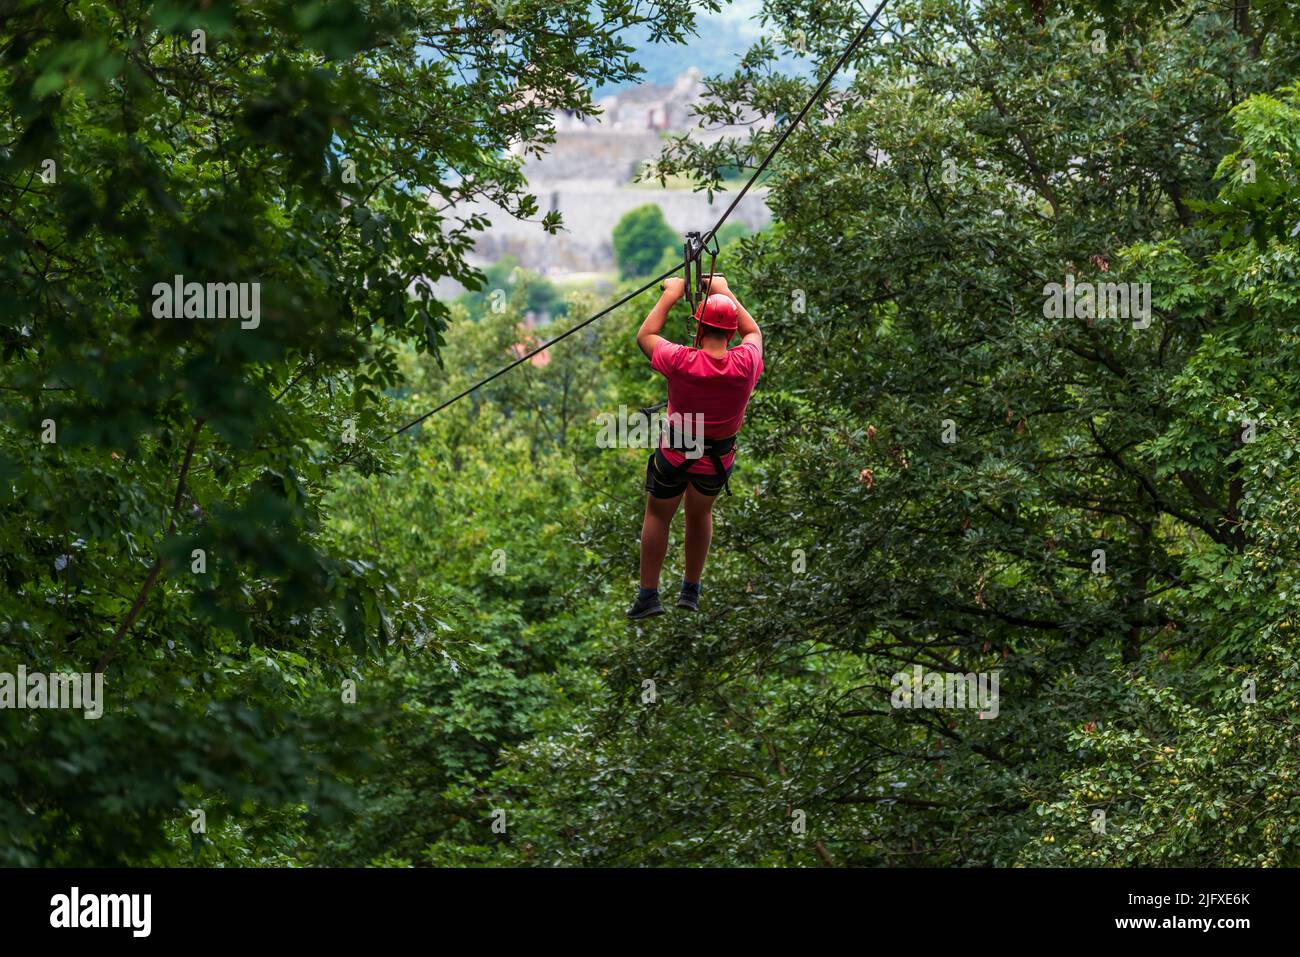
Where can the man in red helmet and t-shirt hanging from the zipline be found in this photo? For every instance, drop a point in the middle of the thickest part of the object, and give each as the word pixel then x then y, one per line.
pixel 716 383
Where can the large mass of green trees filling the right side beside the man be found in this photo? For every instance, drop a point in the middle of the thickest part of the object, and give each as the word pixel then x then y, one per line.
pixel 937 466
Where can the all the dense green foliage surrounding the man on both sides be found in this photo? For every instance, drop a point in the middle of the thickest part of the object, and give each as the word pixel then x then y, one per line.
pixel 939 470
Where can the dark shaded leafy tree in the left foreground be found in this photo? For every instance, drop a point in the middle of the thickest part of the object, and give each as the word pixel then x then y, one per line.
pixel 163 475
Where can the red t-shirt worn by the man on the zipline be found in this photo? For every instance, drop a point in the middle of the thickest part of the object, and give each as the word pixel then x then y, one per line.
pixel 720 389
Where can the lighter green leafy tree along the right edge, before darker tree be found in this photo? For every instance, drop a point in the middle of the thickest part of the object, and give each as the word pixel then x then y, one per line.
pixel 1201 770
